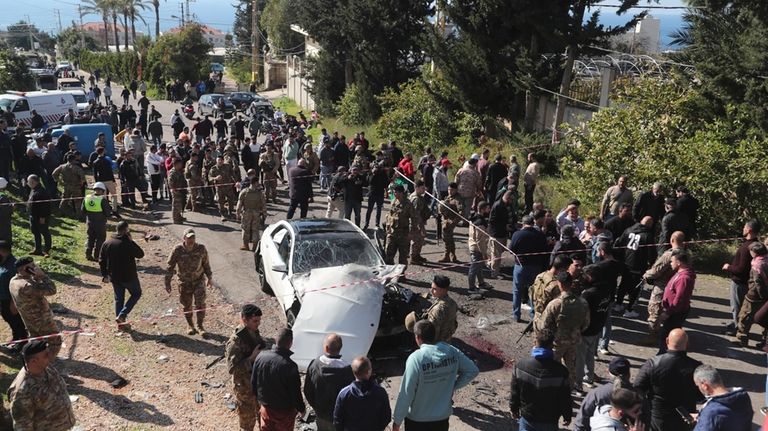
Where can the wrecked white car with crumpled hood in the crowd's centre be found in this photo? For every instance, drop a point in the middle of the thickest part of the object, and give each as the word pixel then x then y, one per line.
pixel 328 276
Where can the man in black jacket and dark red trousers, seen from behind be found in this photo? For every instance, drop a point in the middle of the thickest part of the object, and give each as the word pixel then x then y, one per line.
pixel 277 385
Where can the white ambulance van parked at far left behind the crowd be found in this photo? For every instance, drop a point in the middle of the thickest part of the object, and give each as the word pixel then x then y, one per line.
pixel 52 105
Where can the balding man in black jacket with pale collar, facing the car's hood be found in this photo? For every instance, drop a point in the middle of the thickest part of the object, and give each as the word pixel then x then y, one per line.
pixel 326 377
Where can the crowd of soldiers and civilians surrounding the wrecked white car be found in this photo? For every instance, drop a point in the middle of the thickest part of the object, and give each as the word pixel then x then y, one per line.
pixel 571 275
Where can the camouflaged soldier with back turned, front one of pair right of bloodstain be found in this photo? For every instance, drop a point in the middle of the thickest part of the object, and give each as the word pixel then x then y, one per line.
pixel 567 316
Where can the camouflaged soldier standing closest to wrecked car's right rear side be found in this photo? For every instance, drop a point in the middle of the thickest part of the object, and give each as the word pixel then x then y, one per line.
pixel 401 218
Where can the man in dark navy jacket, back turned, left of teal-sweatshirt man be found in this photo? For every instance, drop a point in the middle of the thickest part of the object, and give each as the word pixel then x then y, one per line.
pixel 363 405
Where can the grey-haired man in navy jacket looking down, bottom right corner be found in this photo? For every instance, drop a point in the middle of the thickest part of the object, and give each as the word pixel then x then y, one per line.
pixel 726 408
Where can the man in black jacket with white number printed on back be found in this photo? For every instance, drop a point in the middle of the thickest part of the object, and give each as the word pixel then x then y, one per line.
pixel 636 242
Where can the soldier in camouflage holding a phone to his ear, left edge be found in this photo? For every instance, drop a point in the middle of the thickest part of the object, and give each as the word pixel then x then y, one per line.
pixel 29 287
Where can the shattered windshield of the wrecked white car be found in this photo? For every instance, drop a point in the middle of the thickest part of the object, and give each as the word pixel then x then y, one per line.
pixel 323 251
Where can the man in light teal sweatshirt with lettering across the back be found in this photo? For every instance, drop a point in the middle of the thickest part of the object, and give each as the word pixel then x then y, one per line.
pixel 432 374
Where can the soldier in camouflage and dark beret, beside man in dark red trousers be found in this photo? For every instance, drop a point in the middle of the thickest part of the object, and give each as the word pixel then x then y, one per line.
pixel 241 350
